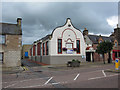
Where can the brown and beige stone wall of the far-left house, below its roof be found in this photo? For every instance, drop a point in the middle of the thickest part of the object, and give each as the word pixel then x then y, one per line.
pixel 12 51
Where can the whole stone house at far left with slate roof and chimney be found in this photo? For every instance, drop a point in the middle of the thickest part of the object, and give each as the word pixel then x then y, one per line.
pixel 10 43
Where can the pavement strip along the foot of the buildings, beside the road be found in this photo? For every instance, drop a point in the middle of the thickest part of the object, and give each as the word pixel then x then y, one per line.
pixel 39 66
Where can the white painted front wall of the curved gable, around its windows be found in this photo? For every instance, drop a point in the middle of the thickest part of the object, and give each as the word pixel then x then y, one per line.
pixel 68 32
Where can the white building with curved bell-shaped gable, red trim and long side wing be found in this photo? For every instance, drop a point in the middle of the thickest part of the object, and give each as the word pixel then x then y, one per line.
pixel 63 44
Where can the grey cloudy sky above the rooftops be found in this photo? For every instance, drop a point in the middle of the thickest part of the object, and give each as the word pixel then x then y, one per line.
pixel 40 18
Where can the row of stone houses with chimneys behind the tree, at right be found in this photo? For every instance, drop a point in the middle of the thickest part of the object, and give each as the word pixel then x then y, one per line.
pixel 92 42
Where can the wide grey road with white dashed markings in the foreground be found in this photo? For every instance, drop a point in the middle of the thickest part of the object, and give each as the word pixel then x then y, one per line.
pixel 94 76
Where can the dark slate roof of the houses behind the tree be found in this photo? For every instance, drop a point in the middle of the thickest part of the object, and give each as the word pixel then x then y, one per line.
pixel 94 38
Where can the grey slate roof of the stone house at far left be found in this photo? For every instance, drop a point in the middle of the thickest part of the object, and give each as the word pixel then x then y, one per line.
pixel 11 29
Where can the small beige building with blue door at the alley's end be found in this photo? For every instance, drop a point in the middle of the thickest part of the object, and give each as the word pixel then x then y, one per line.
pixel 26 51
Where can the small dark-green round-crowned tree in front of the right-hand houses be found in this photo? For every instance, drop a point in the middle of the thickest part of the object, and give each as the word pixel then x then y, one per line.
pixel 105 47
